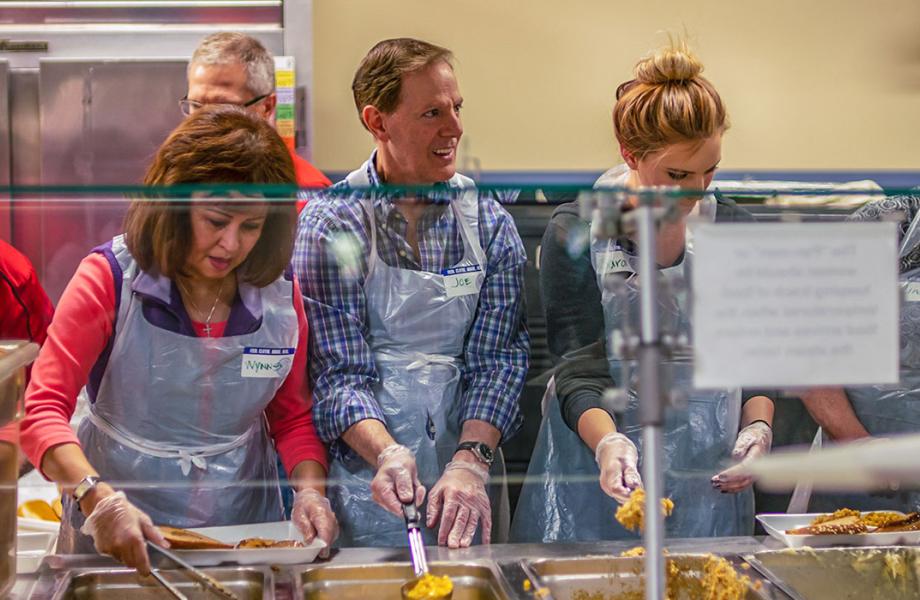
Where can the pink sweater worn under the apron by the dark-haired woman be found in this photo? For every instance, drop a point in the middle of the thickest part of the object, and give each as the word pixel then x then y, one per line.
pixel 82 325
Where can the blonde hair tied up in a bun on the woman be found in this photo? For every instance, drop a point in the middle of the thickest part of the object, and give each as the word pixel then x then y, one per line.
pixel 667 102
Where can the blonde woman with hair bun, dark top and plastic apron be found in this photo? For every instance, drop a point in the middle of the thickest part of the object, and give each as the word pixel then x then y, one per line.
pixel 669 121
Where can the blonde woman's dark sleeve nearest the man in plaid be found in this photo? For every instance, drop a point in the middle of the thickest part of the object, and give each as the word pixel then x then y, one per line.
pixel 574 316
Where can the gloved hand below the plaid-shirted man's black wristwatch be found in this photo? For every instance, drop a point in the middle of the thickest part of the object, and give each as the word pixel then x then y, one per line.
pixel 461 493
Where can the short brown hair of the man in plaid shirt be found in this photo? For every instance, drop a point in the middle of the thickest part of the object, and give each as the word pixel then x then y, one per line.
pixel 378 80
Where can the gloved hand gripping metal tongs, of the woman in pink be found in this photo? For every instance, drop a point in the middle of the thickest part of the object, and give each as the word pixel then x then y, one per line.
pixel 120 529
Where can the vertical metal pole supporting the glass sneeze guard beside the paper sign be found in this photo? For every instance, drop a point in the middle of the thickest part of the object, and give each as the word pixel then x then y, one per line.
pixel 651 406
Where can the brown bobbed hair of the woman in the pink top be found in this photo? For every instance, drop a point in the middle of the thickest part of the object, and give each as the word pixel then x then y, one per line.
pixel 218 144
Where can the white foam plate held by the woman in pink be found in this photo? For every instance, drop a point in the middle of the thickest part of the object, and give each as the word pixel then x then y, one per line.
pixel 232 534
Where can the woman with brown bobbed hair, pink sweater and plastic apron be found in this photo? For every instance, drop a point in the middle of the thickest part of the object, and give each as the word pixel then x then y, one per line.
pixel 190 337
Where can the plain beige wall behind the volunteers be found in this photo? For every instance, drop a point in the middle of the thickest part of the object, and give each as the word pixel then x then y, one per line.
pixel 817 85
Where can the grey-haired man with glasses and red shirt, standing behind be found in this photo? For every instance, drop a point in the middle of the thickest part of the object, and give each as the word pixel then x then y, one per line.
pixel 234 68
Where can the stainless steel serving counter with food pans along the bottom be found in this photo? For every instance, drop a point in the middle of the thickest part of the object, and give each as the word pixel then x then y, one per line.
pixel 584 571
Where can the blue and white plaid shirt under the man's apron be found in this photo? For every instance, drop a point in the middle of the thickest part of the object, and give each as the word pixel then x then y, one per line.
pixel 330 260
